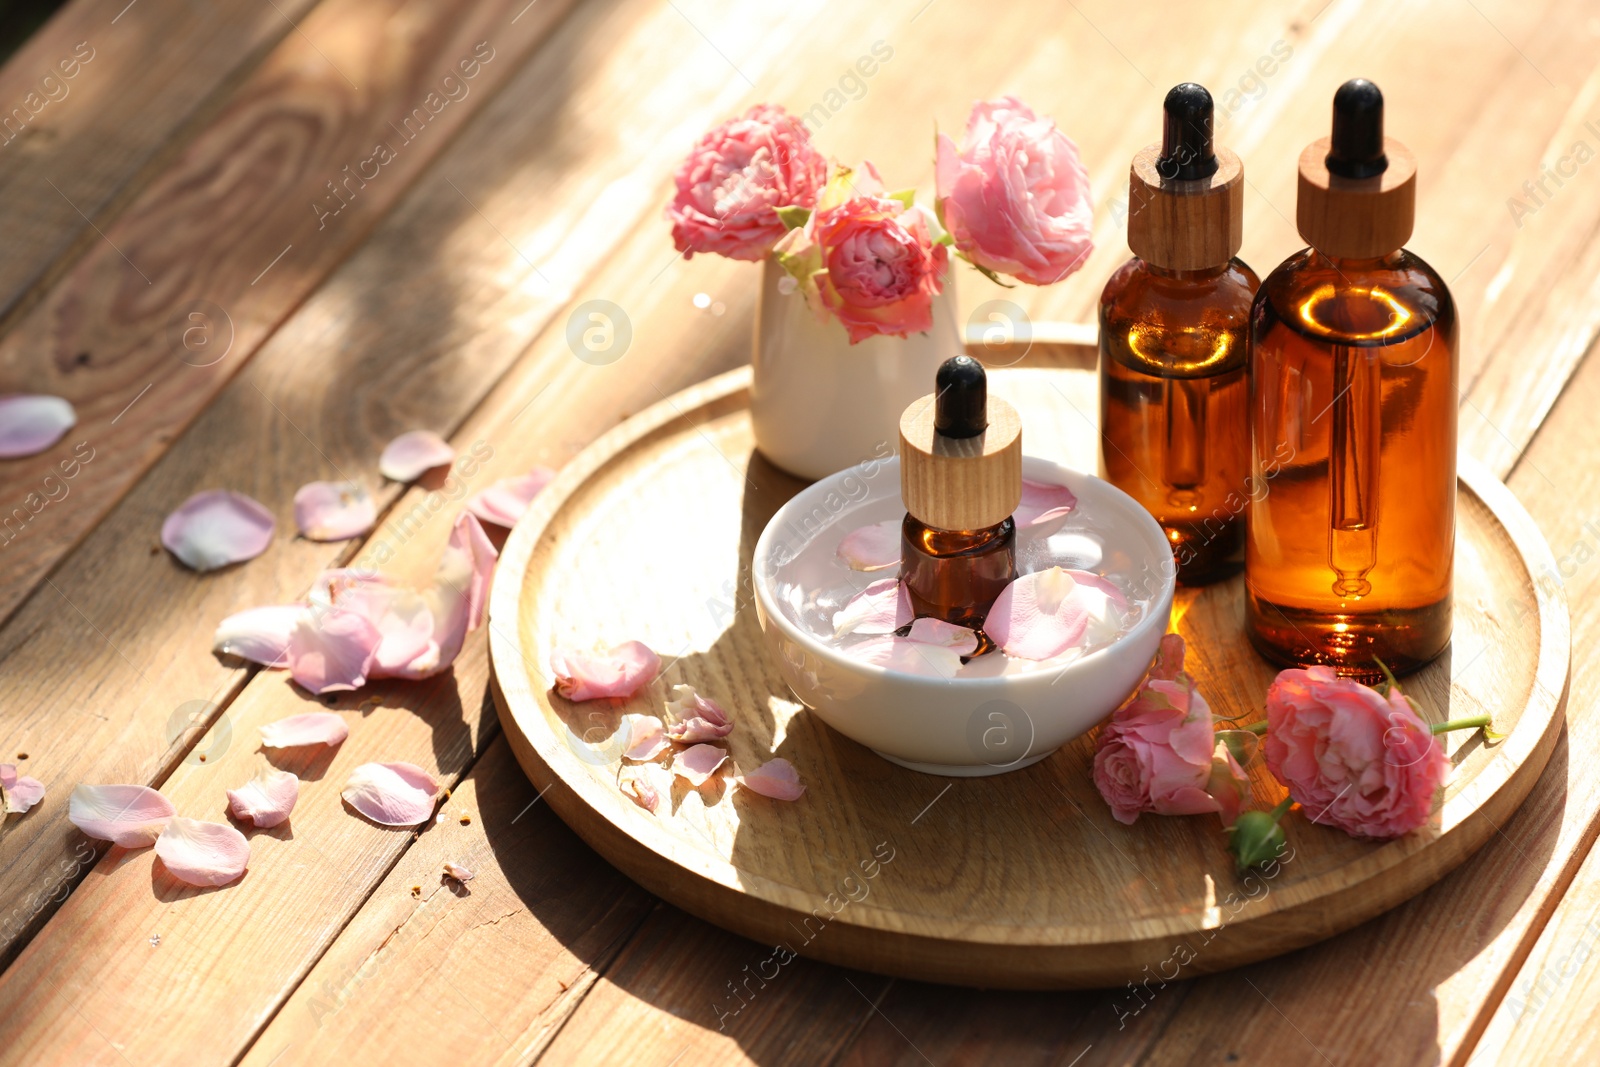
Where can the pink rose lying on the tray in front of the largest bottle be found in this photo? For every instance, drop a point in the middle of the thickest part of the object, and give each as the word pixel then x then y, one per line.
pixel 1350 756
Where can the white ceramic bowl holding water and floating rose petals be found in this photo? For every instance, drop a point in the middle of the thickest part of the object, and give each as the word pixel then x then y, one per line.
pixel 964 725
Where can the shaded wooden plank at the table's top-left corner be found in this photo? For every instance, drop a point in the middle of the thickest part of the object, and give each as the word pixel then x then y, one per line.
pixel 126 82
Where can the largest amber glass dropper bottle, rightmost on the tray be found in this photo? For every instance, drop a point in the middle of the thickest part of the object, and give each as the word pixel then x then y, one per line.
pixel 1354 418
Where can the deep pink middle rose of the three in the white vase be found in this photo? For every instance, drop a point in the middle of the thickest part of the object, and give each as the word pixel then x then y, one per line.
pixel 868 258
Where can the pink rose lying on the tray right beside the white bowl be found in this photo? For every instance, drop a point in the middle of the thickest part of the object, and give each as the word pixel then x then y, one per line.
pixel 1159 753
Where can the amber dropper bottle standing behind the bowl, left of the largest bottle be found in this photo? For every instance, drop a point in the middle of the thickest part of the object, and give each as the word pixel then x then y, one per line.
pixel 1174 329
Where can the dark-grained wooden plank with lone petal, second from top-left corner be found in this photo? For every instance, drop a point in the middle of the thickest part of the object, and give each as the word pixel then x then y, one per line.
pixel 154 321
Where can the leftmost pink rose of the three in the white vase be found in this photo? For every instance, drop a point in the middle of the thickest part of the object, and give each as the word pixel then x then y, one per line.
pixel 737 178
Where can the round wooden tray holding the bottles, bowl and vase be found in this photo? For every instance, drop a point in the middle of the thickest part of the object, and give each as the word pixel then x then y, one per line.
pixel 1018 881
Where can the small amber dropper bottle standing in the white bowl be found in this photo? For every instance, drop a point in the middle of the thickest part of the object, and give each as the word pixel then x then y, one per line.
pixel 961 481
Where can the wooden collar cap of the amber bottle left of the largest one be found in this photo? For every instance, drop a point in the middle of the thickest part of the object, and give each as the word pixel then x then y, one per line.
pixel 1186 225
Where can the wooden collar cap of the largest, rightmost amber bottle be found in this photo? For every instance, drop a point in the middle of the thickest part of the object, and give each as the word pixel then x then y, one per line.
pixel 1356 218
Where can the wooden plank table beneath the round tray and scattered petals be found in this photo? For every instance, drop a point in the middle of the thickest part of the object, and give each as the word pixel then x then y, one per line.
pixel 191 265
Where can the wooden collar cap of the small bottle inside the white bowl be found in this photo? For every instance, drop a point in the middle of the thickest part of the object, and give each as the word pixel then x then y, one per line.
pixel 961 482
